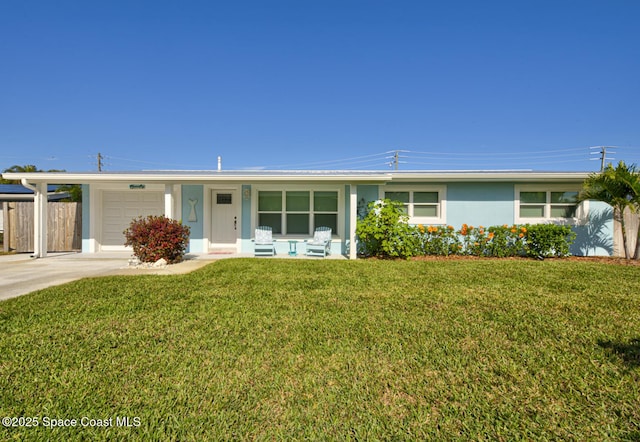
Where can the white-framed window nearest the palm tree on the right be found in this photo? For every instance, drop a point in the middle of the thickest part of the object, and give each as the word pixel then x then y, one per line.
pixel 550 204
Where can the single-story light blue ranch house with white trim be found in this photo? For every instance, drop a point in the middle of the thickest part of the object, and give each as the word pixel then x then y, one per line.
pixel 223 208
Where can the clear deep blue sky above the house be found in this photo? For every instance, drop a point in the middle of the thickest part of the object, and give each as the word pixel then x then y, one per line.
pixel 319 84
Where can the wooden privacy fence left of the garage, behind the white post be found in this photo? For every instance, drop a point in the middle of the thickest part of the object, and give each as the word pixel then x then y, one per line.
pixel 64 226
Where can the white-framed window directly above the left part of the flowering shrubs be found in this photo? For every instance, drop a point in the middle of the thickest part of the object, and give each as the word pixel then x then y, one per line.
pixel 422 205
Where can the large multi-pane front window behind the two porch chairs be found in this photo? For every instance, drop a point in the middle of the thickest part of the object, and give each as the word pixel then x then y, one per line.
pixel 298 212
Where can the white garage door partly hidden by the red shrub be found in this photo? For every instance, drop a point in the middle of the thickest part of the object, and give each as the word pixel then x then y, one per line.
pixel 119 208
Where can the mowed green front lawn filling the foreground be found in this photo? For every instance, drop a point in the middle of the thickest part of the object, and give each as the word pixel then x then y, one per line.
pixel 330 350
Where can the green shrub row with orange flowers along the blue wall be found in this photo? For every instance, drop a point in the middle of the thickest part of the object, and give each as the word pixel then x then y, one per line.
pixel 384 232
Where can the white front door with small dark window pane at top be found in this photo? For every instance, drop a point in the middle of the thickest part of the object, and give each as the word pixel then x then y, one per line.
pixel 224 222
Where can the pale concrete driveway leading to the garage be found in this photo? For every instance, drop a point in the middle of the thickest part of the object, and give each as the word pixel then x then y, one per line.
pixel 20 274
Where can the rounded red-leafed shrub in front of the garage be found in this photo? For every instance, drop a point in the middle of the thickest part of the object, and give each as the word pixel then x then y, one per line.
pixel 156 237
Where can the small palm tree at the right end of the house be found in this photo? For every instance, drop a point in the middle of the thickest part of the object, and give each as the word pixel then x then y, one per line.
pixel 615 186
